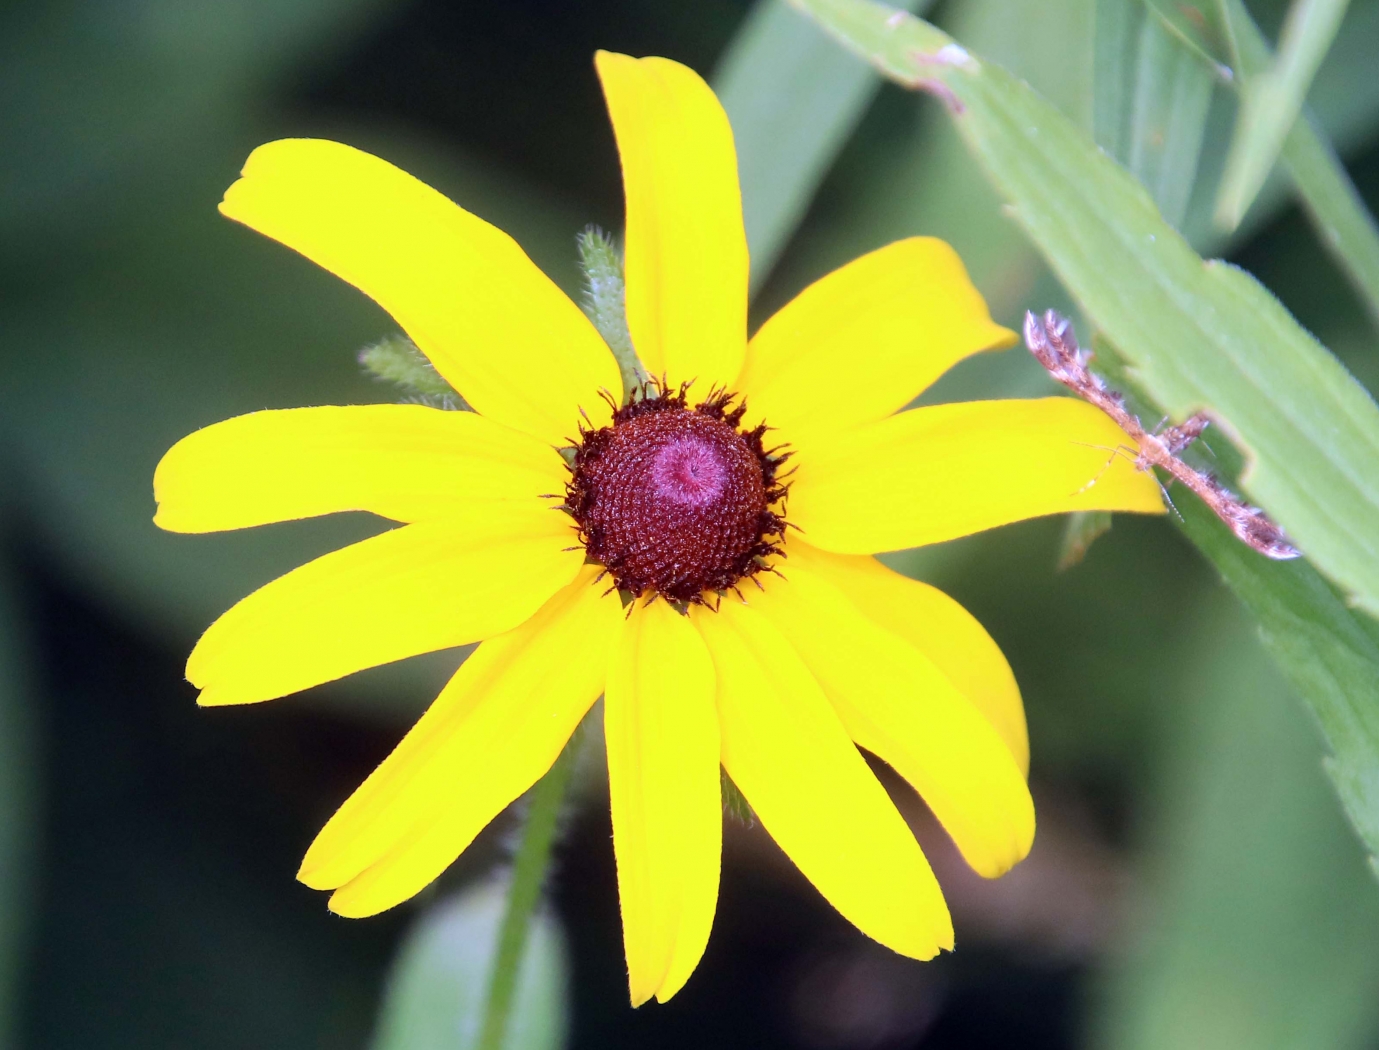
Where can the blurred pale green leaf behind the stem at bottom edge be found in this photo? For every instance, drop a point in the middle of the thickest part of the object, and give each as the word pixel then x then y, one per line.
pixel 439 984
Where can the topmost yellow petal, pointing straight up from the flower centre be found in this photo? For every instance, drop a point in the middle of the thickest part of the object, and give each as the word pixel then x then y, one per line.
pixel 686 248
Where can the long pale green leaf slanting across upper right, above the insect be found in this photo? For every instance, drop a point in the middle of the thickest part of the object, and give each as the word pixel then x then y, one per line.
pixel 1198 336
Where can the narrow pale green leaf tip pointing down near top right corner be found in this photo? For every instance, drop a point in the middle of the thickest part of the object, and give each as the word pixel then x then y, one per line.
pixel 1274 101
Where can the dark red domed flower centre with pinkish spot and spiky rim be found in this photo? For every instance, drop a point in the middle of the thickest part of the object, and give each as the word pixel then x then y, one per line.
pixel 675 500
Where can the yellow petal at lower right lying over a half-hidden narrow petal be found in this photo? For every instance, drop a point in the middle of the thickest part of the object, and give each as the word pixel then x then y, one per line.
pixel 900 706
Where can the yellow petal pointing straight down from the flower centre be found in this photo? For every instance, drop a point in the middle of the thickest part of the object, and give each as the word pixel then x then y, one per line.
pixel 663 733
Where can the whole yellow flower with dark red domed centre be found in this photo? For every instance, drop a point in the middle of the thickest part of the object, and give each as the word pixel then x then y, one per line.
pixel 774 674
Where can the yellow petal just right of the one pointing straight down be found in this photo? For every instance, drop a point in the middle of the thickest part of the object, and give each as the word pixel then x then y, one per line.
pixel 785 749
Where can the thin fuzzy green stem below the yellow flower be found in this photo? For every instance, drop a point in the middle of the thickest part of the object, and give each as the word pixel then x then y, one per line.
pixel 523 893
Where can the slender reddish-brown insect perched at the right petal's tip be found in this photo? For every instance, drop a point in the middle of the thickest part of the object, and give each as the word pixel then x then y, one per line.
pixel 1053 343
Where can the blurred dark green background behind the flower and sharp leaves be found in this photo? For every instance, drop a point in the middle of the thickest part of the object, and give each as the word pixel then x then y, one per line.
pixel 1194 884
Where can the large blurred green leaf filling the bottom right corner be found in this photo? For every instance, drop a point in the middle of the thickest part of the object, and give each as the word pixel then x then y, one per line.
pixel 1254 925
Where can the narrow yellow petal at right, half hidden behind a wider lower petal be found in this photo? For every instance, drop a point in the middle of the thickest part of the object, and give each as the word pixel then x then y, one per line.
pixel 936 626
